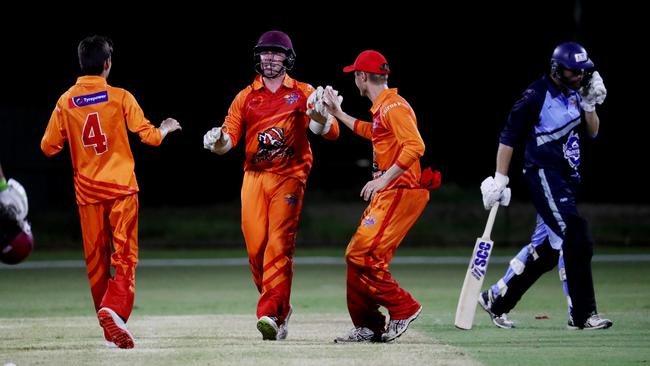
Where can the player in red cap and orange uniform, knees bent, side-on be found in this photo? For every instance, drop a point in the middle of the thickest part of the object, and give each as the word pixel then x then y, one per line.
pixel 397 198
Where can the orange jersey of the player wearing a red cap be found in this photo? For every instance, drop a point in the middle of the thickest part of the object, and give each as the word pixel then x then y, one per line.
pixel 395 138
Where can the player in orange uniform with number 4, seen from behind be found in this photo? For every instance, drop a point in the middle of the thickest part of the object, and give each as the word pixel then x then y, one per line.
pixel 93 118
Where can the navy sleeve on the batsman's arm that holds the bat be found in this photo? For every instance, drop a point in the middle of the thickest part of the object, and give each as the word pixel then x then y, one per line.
pixel 524 115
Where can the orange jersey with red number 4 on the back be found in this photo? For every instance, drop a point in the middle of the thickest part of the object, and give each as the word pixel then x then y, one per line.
pixel 92 117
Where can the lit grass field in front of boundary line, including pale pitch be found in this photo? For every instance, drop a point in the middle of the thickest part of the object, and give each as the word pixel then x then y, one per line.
pixel 205 316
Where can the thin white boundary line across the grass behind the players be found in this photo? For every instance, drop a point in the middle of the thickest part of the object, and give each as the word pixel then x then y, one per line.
pixel 228 262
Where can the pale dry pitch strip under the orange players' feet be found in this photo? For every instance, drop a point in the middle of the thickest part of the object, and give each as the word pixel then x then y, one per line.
pixel 211 340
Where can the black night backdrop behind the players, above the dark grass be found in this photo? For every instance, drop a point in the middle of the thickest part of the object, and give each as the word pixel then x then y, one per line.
pixel 460 65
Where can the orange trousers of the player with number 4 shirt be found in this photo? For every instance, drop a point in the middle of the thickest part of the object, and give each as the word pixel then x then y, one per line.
pixel 110 235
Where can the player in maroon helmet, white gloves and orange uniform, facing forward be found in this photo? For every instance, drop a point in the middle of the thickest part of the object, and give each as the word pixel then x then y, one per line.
pixel 272 116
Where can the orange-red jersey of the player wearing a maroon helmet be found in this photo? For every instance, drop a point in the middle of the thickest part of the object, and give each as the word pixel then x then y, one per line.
pixel 274 126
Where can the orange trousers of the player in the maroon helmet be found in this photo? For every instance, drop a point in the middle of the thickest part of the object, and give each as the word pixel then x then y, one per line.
pixel 271 207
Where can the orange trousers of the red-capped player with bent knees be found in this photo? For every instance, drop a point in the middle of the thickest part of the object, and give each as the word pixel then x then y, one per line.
pixel 384 224
